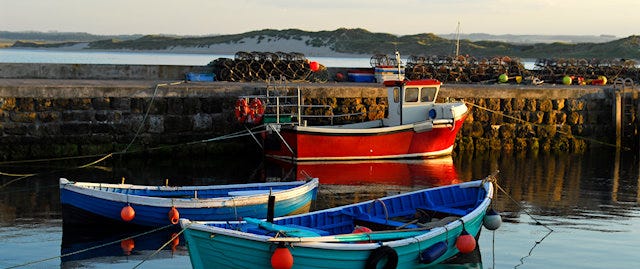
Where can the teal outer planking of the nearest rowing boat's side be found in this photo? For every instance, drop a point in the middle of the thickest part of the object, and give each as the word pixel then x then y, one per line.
pixel 230 252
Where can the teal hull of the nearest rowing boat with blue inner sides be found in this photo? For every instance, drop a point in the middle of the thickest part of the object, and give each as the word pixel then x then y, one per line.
pixel 211 246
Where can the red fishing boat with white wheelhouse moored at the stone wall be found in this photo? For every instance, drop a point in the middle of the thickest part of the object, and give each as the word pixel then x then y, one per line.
pixel 416 126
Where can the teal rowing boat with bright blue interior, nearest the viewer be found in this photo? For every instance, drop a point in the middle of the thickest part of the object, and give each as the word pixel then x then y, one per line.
pixel 411 230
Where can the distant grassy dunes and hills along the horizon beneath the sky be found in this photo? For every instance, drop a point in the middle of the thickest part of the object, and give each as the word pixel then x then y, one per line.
pixel 363 42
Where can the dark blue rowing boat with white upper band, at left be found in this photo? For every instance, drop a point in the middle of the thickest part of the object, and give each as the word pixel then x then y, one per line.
pixel 158 206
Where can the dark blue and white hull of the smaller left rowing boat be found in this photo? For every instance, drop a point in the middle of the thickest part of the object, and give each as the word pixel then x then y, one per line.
pixel 154 211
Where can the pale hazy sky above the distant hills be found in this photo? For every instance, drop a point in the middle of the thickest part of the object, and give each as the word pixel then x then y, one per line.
pixel 620 18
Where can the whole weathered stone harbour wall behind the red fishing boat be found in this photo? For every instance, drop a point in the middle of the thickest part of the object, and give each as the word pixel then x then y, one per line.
pixel 46 118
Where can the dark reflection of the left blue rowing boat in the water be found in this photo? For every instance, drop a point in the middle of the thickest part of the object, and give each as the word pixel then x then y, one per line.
pixel 86 246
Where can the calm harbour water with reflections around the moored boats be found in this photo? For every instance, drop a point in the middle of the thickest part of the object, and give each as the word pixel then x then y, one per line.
pixel 590 201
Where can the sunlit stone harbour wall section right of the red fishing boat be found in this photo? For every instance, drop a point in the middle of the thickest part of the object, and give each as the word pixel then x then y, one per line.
pixel 536 118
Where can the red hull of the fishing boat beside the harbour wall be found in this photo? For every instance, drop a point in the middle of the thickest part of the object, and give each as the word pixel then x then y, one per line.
pixel 313 144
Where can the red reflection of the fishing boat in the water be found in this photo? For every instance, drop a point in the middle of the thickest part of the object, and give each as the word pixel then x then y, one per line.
pixel 347 182
